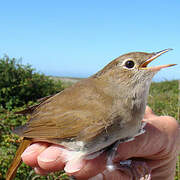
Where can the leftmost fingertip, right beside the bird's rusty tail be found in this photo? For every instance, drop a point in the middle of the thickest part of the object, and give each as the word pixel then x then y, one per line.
pixel 31 153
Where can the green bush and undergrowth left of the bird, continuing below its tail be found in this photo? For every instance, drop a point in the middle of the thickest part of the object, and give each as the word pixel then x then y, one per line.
pixel 19 85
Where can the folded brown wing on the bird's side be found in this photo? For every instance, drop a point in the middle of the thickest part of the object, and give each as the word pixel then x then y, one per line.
pixel 76 112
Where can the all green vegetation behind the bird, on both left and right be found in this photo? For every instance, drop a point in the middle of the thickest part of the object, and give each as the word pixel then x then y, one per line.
pixel 21 86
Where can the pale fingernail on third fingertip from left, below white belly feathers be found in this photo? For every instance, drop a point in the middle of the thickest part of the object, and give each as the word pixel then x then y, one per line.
pixel 74 166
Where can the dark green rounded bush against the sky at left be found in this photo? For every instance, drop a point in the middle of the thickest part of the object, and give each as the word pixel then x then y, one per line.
pixel 20 84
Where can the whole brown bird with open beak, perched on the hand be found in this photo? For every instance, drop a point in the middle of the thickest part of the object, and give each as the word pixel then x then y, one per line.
pixel 100 111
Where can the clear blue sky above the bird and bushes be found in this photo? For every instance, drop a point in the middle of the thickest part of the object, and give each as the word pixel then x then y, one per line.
pixel 77 38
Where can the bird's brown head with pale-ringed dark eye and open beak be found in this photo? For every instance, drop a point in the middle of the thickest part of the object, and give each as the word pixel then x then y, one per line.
pixel 131 68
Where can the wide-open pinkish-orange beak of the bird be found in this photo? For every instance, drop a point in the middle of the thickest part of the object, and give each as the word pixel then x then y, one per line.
pixel 156 68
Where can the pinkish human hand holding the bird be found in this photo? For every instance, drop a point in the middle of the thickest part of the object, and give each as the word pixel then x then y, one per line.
pixel 158 147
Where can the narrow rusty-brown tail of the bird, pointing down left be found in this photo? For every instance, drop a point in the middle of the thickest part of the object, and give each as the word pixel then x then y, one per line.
pixel 17 159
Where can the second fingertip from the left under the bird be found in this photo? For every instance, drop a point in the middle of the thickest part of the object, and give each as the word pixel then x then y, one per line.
pixel 53 158
